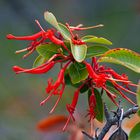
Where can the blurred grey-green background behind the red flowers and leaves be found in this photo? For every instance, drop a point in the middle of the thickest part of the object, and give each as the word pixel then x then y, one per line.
pixel 20 95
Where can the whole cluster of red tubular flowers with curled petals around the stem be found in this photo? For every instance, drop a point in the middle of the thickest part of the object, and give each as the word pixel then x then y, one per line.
pixel 97 76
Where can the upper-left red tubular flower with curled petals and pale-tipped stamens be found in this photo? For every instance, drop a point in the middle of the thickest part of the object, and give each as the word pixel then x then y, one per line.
pixel 38 39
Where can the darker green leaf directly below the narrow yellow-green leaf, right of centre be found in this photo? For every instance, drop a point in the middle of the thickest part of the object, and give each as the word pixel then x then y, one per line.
pixel 96 51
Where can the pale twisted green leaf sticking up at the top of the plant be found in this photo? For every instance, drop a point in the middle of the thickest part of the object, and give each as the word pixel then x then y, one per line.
pixel 51 19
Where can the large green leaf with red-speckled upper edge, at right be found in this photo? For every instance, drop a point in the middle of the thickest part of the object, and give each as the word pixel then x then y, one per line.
pixel 122 56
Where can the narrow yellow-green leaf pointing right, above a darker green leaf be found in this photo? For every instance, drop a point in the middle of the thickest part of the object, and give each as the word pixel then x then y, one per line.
pixel 94 39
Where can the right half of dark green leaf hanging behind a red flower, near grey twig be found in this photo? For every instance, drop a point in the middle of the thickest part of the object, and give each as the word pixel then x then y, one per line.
pixel 99 106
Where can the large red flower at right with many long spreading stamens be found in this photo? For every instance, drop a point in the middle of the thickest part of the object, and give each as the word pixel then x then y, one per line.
pixel 100 75
